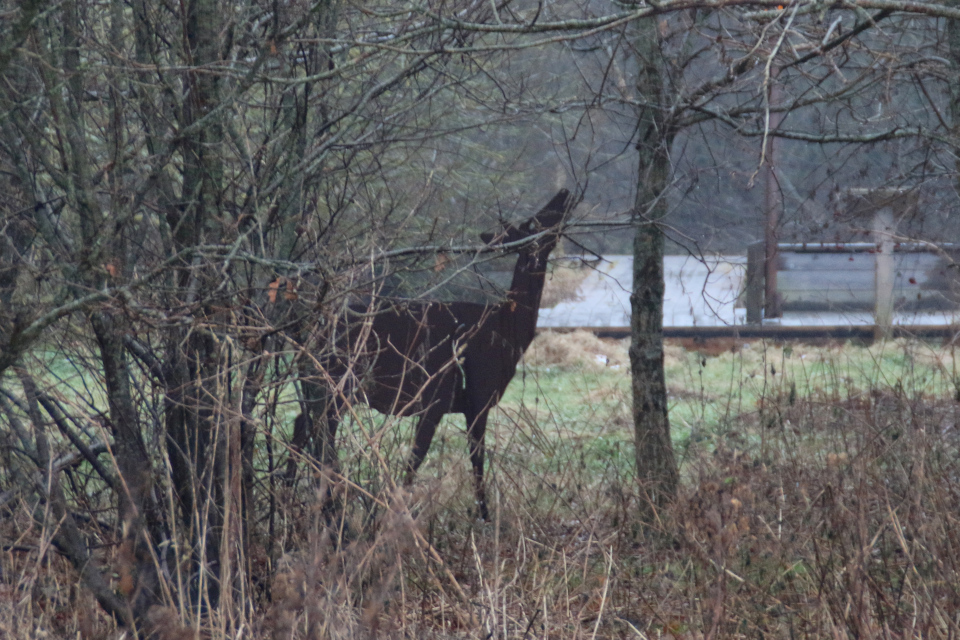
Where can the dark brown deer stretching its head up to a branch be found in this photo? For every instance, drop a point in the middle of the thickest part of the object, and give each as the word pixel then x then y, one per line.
pixel 431 358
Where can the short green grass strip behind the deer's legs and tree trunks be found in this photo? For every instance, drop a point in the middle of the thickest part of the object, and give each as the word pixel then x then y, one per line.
pixel 576 410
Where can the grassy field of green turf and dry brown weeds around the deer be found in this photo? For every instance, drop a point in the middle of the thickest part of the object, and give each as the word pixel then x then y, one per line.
pixel 820 498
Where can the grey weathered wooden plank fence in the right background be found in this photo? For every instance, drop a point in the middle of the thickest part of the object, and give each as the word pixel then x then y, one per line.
pixel 857 277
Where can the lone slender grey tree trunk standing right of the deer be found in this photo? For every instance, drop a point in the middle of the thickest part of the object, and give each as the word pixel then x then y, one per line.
pixel 656 464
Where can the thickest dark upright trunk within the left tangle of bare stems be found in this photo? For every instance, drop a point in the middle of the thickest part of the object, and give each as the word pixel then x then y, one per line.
pixel 198 422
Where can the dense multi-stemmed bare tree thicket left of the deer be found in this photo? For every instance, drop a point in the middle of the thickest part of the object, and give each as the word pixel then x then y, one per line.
pixel 183 193
